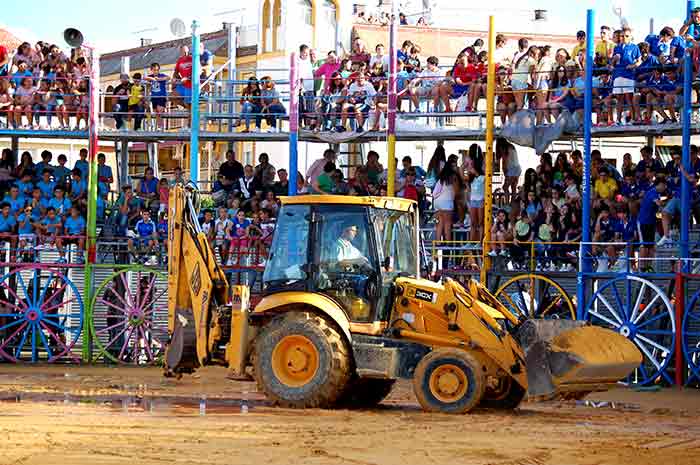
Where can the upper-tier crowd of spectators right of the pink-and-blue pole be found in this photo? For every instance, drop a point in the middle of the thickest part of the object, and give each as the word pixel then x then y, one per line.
pixel 635 81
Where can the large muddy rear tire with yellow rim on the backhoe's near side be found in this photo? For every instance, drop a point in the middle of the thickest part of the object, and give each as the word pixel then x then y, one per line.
pixel 301 361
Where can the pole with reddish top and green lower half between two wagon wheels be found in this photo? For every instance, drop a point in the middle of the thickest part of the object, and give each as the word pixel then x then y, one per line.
pixel 90 243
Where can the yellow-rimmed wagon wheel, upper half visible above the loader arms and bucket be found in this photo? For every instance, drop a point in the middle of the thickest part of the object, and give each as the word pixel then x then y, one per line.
pixel 535 296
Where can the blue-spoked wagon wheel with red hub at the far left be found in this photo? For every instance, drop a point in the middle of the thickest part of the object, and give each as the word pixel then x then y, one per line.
pixel 41 315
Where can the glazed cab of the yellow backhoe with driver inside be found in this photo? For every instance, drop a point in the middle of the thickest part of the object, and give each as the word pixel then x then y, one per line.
pixel 350 249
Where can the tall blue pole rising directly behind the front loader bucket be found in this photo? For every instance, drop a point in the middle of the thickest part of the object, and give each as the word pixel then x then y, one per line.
pixel 584 260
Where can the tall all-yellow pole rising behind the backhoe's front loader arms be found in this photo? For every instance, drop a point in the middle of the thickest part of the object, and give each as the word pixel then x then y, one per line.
pixel 488 168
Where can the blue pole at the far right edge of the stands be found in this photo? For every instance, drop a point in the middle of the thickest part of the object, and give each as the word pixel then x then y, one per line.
pixel 685 124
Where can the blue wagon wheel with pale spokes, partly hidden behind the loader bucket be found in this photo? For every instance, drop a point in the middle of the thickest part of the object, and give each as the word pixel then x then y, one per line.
pixel 639 310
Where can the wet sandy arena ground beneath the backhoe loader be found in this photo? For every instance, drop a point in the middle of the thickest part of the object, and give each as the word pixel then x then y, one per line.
pixel 94 415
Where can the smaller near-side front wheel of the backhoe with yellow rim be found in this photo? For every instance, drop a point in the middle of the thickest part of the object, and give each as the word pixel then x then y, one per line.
pixel 449 381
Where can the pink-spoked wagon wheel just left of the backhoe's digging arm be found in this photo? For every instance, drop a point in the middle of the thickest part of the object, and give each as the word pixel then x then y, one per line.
pixel 129 322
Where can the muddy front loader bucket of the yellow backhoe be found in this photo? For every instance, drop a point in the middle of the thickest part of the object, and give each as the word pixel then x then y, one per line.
pixel 567 358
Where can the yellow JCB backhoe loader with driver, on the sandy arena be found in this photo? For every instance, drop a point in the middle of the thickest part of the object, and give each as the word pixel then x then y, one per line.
pixel 344 314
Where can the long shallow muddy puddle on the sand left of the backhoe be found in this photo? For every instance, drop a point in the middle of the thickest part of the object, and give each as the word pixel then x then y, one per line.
pixel 201 406
